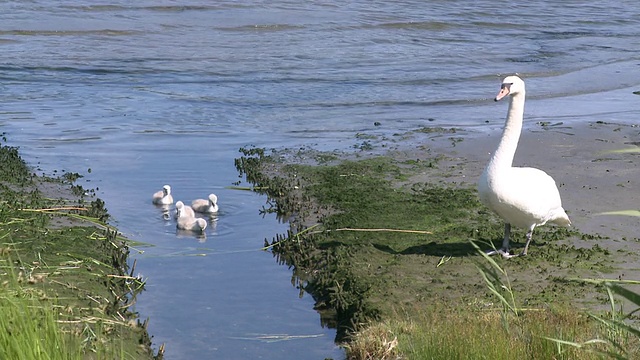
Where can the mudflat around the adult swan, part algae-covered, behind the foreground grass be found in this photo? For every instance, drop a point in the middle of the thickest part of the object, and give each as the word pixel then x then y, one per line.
pixel 387 232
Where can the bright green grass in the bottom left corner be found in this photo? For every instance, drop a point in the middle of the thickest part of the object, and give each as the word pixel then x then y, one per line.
pixel 35 326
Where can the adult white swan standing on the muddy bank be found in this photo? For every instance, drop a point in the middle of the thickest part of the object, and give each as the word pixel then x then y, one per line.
pixel 522 196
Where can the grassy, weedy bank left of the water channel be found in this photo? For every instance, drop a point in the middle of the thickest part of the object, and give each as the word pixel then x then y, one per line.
pixel 67 287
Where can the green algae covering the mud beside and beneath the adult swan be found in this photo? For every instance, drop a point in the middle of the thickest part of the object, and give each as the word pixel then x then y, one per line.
pixel 356 276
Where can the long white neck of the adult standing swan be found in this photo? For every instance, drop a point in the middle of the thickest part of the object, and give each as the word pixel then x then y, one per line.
pixel 503 156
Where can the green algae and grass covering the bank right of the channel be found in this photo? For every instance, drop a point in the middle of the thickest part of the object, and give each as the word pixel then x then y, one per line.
pixel 383 242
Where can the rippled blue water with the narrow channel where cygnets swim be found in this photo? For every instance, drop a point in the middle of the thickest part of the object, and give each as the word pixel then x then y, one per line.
pixel 166 92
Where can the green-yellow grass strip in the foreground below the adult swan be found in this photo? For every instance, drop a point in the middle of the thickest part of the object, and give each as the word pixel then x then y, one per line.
pixel 454 333
